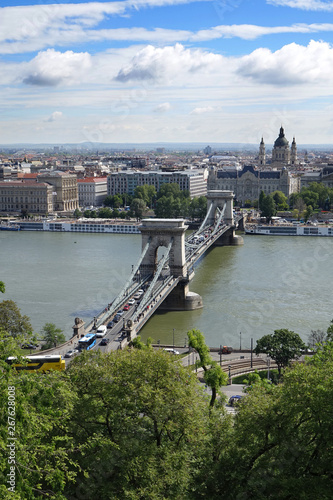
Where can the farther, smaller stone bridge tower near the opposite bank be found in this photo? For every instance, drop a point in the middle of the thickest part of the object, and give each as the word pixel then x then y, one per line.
pixel 218 199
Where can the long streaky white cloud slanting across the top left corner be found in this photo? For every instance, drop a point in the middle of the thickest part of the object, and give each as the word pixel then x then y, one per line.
pixel 34 27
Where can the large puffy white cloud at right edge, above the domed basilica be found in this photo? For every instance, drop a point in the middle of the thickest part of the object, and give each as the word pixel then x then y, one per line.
pixel 292 64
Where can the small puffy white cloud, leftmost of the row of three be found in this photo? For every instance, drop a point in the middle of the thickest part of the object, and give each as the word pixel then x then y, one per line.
pixel 52 68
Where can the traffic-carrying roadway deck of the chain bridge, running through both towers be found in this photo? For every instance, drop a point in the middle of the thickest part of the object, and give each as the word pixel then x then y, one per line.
pixel 195 246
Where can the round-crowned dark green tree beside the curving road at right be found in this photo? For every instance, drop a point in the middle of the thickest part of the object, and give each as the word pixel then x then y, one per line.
pixel 282 346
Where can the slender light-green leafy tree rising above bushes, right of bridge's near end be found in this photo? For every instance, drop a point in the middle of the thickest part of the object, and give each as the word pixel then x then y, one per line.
pixel 213 376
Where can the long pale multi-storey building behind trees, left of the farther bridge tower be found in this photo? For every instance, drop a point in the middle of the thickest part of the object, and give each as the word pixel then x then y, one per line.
pixel 126 181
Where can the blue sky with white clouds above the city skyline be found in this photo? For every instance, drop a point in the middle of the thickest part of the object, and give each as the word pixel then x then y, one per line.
pixel 166 71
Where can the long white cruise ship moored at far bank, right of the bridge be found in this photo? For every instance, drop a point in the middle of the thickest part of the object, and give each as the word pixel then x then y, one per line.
pixel 289 230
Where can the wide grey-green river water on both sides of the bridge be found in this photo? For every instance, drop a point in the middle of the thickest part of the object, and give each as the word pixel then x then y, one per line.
pixel 248 291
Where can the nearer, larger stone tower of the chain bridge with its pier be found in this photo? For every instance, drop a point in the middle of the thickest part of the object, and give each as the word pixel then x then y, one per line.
pixel 160 233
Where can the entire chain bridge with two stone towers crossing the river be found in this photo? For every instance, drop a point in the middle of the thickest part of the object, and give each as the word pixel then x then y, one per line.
pixel 166 265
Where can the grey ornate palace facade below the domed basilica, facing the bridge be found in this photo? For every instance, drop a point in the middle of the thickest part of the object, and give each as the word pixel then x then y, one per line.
pixel 248 183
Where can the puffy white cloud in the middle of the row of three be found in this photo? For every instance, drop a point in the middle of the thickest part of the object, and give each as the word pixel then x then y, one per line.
pixel 160 64
